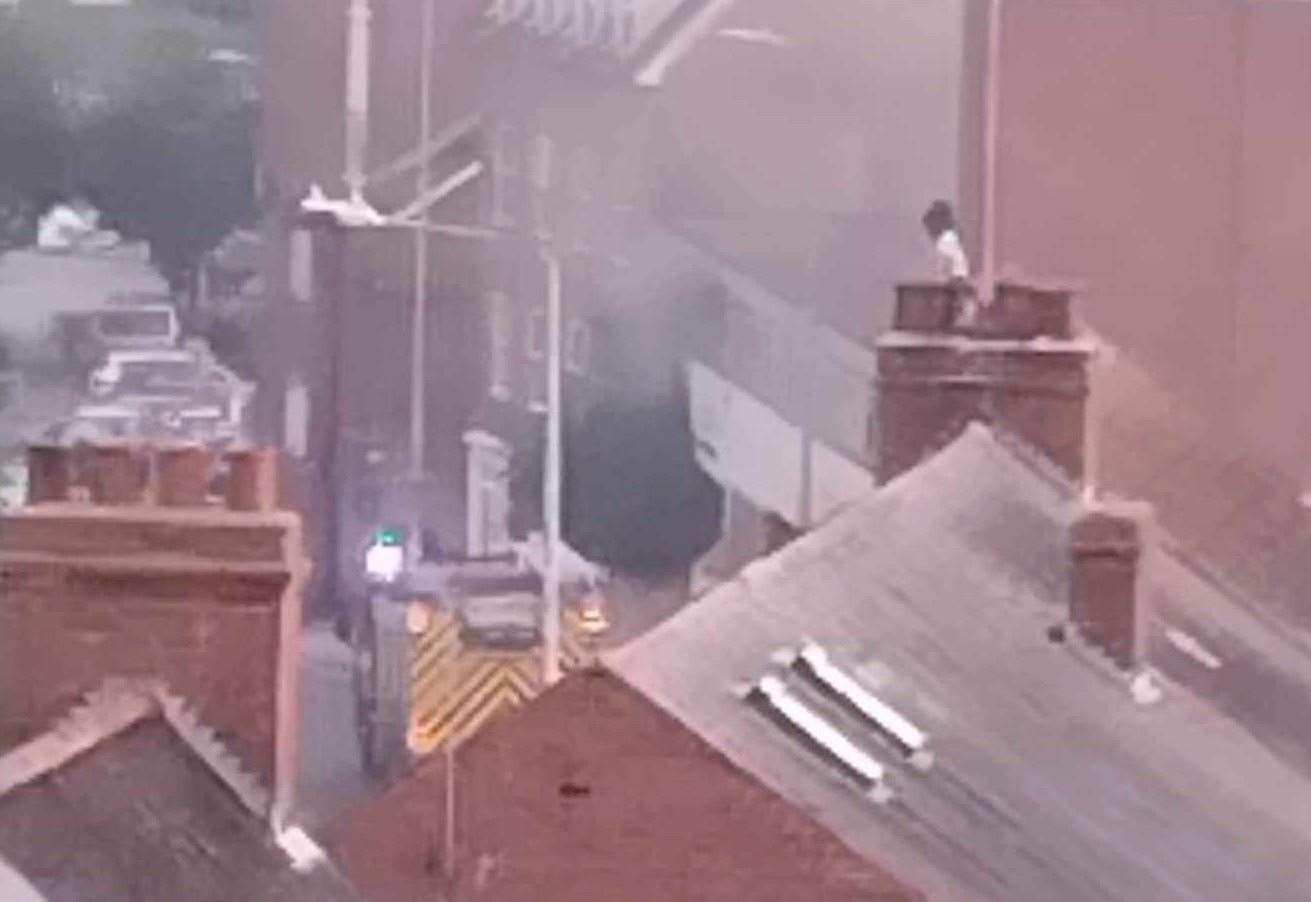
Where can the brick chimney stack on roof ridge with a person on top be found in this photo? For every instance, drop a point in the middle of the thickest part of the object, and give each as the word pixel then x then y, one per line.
pixel 1018 368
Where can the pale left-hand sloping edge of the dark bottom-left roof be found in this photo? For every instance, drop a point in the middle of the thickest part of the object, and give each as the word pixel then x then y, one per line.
pixel 111 709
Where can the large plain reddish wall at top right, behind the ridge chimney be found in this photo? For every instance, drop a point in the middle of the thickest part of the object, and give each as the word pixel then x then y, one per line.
pixel 1150 151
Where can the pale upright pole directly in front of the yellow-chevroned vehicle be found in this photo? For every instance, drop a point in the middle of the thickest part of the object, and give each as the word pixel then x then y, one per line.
pixel 551 501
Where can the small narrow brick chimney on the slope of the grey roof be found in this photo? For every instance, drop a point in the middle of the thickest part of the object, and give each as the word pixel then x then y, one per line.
pixel 1107 545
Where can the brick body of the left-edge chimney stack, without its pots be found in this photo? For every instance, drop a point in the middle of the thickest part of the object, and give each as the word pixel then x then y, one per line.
pixel 203 600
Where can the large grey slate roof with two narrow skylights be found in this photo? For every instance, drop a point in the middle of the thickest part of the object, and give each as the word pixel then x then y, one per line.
pixel 937 593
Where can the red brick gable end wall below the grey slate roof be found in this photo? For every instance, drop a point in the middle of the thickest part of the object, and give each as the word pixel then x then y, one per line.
pixel 593 793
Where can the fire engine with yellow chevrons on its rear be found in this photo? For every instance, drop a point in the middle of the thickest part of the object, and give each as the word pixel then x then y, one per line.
pixel 444 644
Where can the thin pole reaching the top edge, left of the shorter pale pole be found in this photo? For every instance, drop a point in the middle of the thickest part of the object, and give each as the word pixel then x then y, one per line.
pixel 420 317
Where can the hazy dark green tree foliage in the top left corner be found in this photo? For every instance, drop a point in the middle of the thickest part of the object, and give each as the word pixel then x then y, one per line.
pixel 157 134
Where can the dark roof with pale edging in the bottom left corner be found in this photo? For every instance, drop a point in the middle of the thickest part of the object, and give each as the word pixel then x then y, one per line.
pixel 129 800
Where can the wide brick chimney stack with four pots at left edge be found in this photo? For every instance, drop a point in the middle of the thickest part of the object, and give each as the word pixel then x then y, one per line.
pixel 155 579
